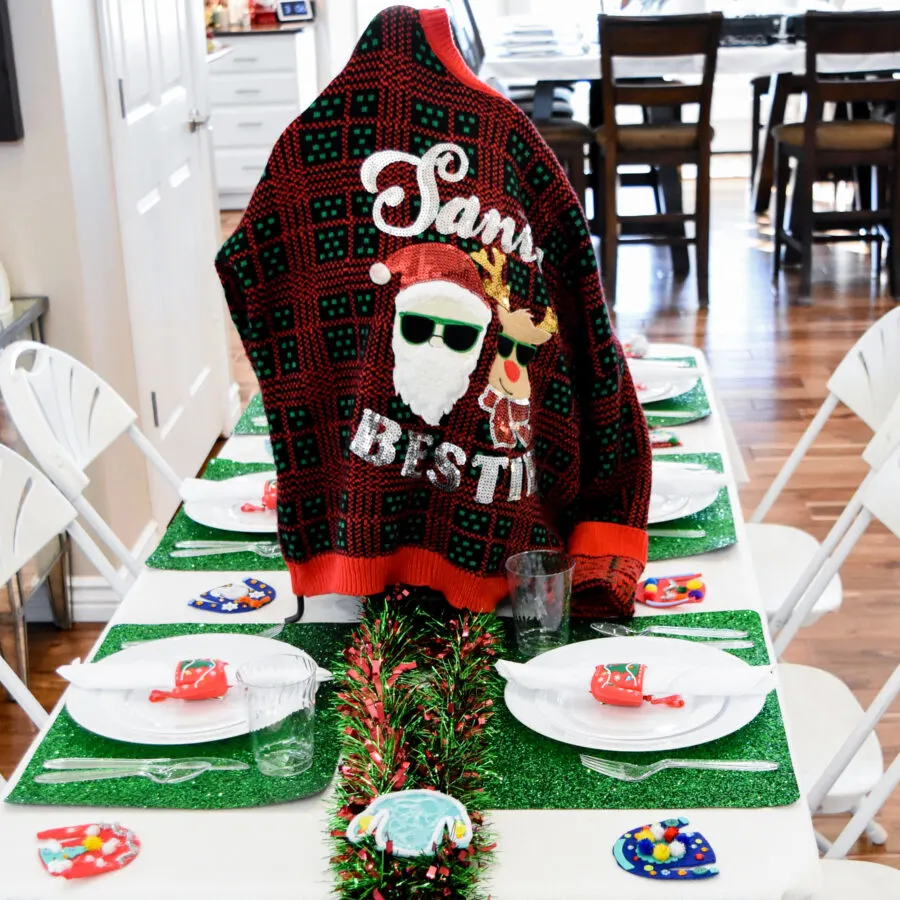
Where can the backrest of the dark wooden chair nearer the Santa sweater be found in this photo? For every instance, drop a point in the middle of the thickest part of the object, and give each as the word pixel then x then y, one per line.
pixel 665 36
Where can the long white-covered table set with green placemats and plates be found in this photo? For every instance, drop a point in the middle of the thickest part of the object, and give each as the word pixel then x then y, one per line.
pixel 283 850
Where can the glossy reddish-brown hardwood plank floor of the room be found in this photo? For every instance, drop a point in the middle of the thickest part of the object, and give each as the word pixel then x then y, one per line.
pixel 771 360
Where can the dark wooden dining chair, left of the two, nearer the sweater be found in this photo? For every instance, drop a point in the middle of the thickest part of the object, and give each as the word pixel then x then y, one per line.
pixel 672 144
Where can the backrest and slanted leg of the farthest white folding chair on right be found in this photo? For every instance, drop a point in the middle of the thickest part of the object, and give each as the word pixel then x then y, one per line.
pixel 867 382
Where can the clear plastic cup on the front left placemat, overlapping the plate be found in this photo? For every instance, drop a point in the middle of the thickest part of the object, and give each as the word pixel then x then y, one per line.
pixel 281 705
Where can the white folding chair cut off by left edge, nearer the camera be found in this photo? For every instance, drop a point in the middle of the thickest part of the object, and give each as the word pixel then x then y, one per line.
pixel 32 513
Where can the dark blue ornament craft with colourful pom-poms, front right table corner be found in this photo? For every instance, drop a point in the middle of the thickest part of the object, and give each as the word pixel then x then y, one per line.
pixel 666 851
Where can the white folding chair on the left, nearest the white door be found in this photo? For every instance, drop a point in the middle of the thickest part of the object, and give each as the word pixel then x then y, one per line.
pixel 67 416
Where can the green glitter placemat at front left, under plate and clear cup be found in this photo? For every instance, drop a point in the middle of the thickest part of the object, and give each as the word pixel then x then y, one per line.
pixel 212 790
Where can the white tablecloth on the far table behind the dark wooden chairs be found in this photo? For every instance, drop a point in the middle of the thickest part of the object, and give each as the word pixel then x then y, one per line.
pixel 749 61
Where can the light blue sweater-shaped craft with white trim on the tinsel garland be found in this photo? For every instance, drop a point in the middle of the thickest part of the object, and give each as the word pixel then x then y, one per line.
pixel 412 822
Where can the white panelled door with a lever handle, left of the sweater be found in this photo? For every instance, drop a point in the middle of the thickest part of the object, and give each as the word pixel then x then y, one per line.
pixel 154 53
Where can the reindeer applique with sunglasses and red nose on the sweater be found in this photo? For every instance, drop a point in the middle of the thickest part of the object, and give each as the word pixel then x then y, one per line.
pixel 506 398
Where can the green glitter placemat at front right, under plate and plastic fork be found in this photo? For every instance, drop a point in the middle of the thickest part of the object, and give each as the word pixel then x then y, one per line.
pixel 530 771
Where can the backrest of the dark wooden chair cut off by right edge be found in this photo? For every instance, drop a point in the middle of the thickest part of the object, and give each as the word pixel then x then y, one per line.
pixel 843 34
